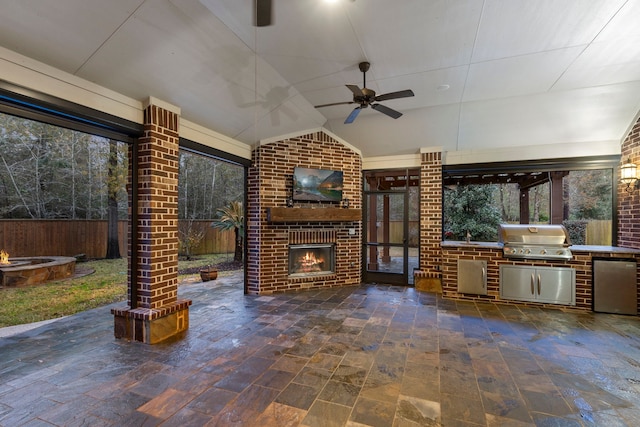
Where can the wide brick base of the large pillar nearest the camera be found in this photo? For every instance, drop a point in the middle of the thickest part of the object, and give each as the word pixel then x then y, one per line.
pixel 151 326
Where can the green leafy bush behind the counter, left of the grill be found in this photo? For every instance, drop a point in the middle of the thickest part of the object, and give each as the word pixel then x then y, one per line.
pixel 470 209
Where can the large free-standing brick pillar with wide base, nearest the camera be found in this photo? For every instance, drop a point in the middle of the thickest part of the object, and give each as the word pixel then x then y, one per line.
pixel 157 313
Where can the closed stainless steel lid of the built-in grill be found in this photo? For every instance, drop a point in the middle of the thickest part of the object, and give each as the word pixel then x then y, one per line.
pixel 526 234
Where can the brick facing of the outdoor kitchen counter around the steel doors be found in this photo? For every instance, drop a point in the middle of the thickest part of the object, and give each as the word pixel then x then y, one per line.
pixel 581 262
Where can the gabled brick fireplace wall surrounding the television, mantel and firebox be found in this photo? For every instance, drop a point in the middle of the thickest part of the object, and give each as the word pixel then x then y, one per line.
pixel 270 185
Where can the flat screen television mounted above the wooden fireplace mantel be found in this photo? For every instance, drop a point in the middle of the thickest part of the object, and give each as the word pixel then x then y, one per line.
pixel 317 185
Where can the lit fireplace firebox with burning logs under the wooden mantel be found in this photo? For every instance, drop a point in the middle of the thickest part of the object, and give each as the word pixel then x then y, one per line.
pixel 312 259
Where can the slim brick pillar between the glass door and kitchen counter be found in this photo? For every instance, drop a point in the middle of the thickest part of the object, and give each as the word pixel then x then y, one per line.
pixel 429 276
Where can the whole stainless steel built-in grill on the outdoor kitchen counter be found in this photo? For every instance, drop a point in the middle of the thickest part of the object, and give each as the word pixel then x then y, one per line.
pixel 535 241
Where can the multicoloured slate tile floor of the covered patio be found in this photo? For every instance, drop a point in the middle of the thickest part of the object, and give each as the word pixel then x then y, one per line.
pixel 370 355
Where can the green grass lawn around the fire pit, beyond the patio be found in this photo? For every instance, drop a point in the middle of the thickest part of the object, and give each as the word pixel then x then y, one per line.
pixel 108 284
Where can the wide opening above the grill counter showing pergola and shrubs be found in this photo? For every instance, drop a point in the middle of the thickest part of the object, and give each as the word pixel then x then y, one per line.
pixel 579 194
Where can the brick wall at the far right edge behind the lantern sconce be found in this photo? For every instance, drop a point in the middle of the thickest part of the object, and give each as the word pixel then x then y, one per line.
pixel 629 203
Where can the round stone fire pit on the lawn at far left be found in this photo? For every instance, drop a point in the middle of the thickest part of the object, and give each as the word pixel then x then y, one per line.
pixel 32 271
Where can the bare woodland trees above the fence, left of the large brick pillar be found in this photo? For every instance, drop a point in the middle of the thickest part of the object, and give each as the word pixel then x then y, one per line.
pixel 51 172
